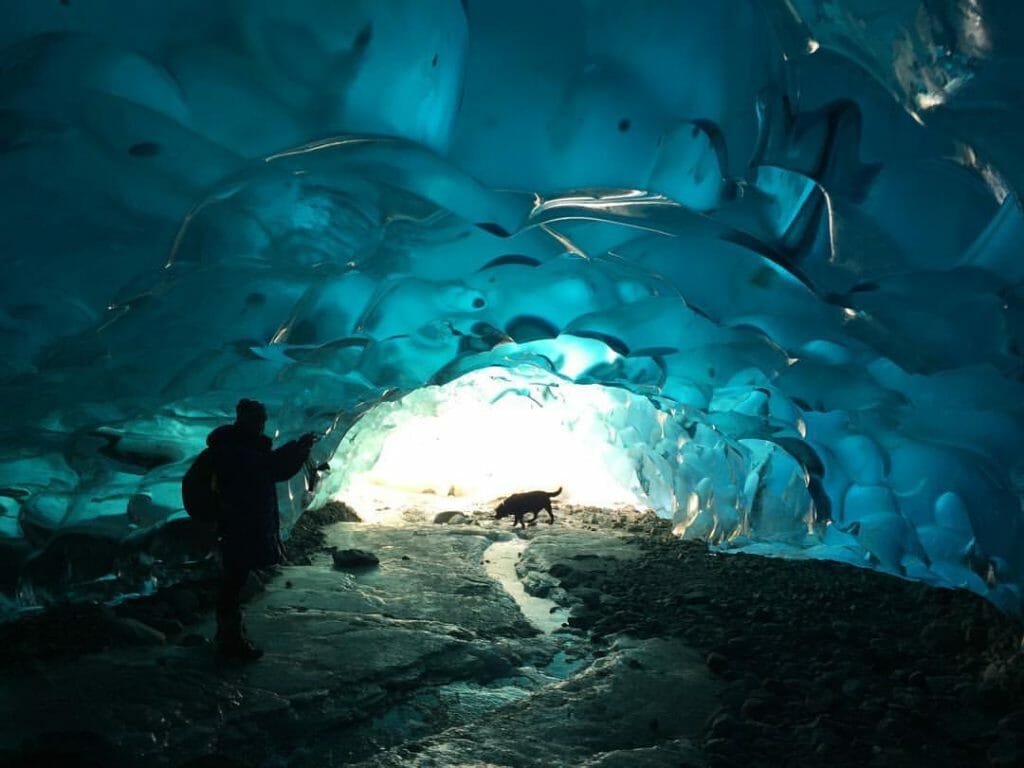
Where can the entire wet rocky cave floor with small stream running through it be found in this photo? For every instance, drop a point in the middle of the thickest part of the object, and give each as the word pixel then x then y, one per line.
pixel 668 655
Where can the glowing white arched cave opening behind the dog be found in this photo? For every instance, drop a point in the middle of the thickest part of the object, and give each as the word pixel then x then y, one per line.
pixel 468 444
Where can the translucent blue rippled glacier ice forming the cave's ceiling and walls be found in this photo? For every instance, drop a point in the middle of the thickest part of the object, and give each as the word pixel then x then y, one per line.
pixel 763 258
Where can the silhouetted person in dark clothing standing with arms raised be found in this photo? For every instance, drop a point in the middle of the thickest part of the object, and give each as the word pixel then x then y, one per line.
pixel 246 471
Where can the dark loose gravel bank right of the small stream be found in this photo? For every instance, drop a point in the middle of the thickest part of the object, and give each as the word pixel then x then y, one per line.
pixel 824 664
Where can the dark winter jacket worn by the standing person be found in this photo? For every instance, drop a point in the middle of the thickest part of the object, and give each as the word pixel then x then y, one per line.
pixel 247 467
